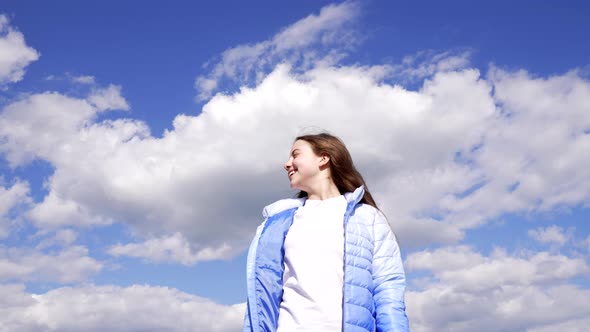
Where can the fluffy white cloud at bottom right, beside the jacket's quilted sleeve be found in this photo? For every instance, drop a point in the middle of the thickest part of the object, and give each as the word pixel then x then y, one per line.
pixel 502 292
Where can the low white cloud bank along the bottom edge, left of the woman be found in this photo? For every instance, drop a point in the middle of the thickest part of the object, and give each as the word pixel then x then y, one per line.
pixel 98 308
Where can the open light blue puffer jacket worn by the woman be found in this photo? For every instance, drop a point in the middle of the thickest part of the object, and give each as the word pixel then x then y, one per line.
pixel 374 280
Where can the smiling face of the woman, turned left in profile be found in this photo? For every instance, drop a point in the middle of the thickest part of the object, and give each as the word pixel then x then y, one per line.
pixel 303 166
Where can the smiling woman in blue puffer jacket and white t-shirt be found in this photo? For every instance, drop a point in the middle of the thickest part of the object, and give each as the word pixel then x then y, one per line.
pixel 327 260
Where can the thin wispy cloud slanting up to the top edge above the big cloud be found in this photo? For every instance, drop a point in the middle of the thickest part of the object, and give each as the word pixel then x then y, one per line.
pixel 315 40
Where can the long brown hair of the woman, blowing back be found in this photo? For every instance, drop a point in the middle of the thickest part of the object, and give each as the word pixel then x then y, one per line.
pixel 344 174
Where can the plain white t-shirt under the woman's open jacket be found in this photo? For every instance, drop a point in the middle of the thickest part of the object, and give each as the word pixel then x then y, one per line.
pixel 314 268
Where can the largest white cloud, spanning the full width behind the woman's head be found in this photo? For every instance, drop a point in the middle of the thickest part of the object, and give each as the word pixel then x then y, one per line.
pixel 440 160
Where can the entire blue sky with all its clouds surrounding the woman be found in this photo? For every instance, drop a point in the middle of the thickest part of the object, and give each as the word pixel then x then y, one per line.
pixel 140 143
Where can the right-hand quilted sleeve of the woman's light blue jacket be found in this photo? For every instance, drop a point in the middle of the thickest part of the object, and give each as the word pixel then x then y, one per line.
pixel 388 279
